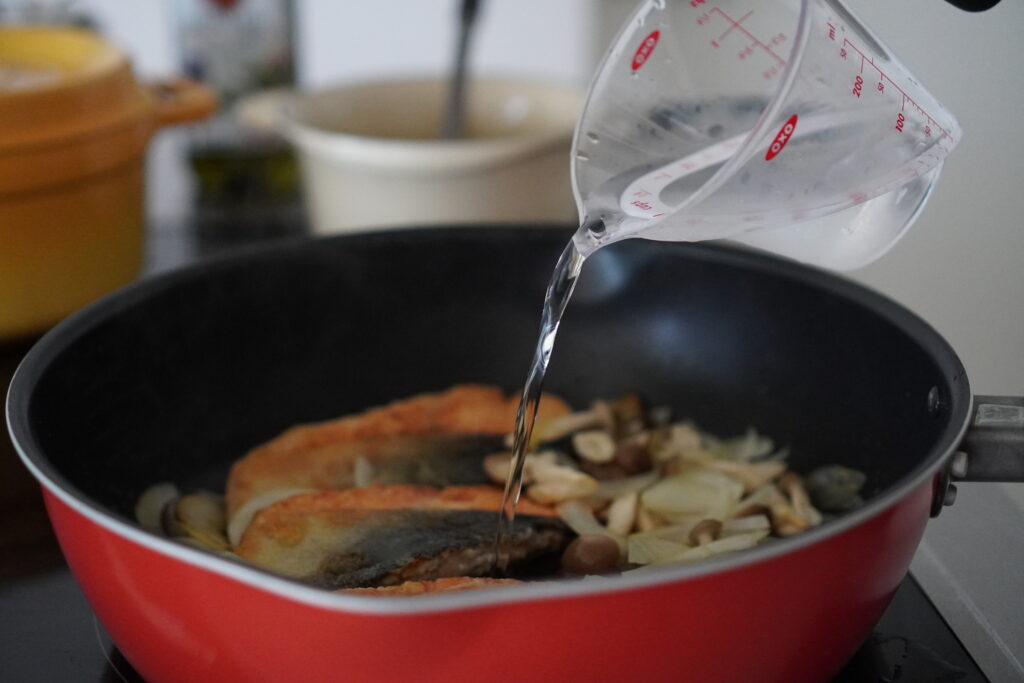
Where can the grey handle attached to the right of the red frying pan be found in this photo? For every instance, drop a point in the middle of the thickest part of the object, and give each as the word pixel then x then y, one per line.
pixel 994 446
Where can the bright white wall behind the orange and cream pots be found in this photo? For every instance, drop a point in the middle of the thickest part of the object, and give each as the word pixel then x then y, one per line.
pixel 340 41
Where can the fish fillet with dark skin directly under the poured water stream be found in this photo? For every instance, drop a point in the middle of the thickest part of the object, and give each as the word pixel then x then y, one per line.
pixel 388 535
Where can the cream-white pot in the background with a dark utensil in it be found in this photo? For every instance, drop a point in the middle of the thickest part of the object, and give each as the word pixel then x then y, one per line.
pixel 372 158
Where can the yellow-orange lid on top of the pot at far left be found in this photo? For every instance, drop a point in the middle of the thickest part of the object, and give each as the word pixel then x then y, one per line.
pixel 59 83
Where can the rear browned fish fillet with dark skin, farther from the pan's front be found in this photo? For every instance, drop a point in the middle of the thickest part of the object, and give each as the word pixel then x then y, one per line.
pixel 324 455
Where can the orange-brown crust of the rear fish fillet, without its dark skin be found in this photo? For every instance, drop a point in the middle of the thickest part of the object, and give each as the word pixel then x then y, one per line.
pixel 323 455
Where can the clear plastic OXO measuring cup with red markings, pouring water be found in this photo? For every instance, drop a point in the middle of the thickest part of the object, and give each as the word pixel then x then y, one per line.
pixel 784 124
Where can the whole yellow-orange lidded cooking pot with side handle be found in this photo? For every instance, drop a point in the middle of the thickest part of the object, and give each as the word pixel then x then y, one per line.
pixel 74 130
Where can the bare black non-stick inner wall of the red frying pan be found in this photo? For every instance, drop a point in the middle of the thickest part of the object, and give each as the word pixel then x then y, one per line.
pixel 180 376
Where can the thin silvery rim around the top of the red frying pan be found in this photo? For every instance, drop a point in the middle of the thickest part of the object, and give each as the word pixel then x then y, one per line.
pixel 65 333
